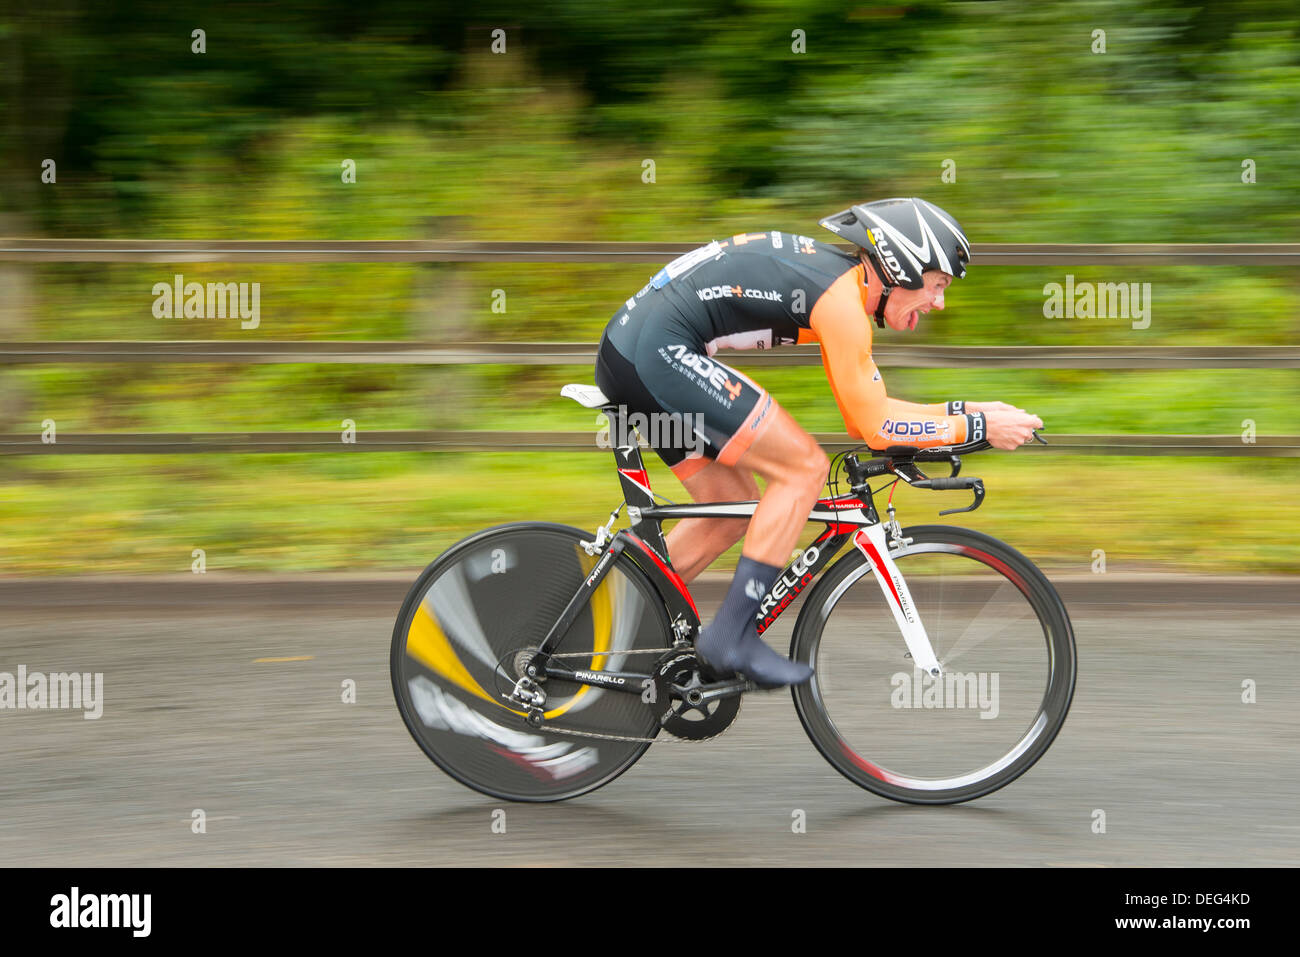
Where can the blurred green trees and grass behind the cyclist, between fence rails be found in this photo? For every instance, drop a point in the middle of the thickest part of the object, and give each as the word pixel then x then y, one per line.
pixel 1050 140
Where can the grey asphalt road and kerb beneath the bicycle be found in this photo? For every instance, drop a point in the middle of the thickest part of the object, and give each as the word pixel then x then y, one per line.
pixel 287 773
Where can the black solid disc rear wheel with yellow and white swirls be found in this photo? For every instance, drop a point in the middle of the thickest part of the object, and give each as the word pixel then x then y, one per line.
pixel 475 613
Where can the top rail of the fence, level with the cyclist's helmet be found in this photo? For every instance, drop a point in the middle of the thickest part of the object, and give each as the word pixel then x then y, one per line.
pixel 441 252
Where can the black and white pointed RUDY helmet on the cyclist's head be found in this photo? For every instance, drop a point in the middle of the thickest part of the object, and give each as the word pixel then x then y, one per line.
pixel 904 239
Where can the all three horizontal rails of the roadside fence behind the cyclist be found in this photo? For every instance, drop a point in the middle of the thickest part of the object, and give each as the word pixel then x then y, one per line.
pixel 561 354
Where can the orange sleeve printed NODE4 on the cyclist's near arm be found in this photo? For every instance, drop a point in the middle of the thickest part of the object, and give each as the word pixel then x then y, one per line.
pixel 844 332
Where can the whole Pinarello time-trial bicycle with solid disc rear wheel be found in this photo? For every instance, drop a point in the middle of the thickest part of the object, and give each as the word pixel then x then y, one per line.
pixel 535 662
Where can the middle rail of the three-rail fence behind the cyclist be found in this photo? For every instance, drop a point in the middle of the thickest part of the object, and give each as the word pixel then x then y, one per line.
pixel 584 354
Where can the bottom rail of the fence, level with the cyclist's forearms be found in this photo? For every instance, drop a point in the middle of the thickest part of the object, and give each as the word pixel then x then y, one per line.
pixel 406 441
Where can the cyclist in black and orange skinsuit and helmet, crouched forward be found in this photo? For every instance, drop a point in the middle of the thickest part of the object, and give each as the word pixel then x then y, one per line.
pixel 760 291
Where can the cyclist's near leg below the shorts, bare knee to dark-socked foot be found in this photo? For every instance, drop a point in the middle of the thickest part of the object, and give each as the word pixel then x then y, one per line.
pixel 795 469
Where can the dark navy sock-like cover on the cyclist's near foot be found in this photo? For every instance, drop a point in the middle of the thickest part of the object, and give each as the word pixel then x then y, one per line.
pixel 731 644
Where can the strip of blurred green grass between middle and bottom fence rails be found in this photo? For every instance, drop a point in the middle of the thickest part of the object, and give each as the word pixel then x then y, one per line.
pixel 210 399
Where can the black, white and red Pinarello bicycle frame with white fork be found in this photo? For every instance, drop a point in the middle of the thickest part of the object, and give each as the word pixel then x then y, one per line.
pixel 848 517
